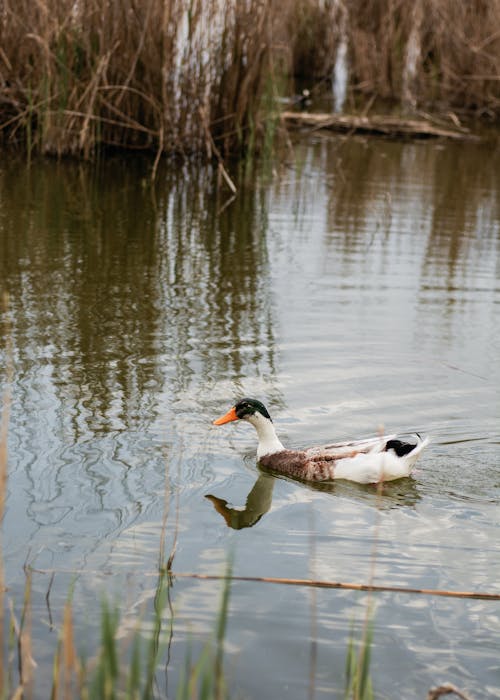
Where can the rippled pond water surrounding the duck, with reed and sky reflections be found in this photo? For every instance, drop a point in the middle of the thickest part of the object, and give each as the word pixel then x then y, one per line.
pixel 353 289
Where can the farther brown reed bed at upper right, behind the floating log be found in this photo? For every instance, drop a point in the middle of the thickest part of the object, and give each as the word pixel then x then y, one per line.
pixel 439 55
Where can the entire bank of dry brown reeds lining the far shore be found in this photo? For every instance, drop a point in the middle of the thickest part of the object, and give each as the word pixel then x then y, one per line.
pixel 203 75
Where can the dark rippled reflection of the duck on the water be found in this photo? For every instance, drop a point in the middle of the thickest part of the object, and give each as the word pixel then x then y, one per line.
pixel 391 494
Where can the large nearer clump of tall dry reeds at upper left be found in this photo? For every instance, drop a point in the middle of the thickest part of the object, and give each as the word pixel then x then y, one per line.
pixel 168 75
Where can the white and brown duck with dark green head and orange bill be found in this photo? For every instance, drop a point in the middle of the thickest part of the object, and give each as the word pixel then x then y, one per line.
pixel 367 461
